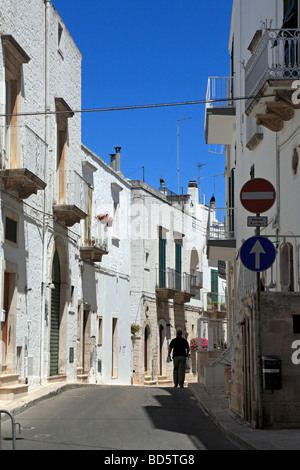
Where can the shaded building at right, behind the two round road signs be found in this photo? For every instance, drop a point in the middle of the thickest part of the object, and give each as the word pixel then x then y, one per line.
pixel 261 135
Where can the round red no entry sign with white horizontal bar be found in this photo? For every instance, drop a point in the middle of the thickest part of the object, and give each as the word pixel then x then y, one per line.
pixel 258 195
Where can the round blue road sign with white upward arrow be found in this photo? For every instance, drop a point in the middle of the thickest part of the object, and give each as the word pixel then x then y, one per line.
pixel 258 254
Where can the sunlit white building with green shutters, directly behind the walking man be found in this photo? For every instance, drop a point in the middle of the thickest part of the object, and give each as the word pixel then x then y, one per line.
pixel 168 271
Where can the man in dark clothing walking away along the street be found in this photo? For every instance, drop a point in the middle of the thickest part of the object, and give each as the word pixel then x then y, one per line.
pixel 181 349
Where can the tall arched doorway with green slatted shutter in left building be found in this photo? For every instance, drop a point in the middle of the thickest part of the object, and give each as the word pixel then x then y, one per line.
pixel 55 316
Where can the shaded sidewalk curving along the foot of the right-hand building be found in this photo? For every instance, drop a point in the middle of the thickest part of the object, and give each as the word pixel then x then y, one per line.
pixel 215 403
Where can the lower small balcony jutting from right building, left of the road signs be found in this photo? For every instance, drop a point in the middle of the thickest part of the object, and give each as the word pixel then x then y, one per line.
pixel 221 243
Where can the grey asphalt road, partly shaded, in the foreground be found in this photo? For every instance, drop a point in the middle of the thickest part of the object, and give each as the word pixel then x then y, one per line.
pixel 117 418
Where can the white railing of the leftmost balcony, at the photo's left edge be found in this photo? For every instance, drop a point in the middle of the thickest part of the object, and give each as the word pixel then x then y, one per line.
pixel 22 148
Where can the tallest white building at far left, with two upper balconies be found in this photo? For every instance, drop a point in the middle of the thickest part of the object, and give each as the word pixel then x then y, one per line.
pixel 43 194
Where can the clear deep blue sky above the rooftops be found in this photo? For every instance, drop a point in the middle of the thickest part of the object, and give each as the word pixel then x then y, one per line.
pixel 148 52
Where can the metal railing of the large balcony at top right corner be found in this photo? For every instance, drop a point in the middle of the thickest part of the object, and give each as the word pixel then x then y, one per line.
pixel 276 57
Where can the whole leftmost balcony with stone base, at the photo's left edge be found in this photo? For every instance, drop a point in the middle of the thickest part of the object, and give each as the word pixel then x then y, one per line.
pixel 22 160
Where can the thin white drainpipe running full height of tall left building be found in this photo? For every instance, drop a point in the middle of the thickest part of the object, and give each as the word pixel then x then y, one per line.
pixel 45 218
